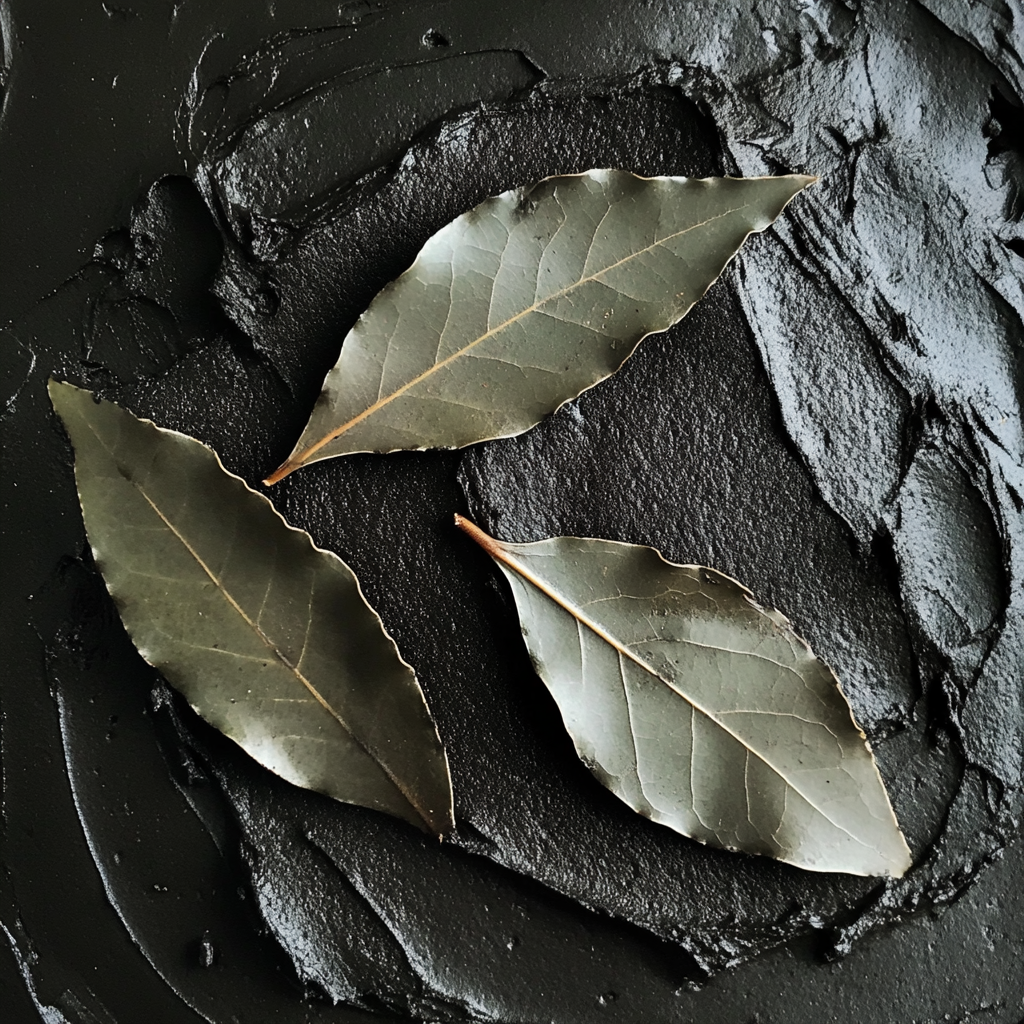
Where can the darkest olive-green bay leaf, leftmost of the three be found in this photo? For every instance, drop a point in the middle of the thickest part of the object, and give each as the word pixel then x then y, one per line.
pixel 268 636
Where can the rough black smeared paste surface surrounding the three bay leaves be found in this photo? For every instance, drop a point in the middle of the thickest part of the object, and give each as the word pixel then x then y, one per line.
pixel 837 424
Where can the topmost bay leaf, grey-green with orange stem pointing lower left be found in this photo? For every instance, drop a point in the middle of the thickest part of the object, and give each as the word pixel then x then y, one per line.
pixel 525 303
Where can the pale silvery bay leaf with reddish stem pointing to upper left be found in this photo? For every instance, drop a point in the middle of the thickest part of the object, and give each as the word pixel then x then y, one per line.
pixel 699 708
